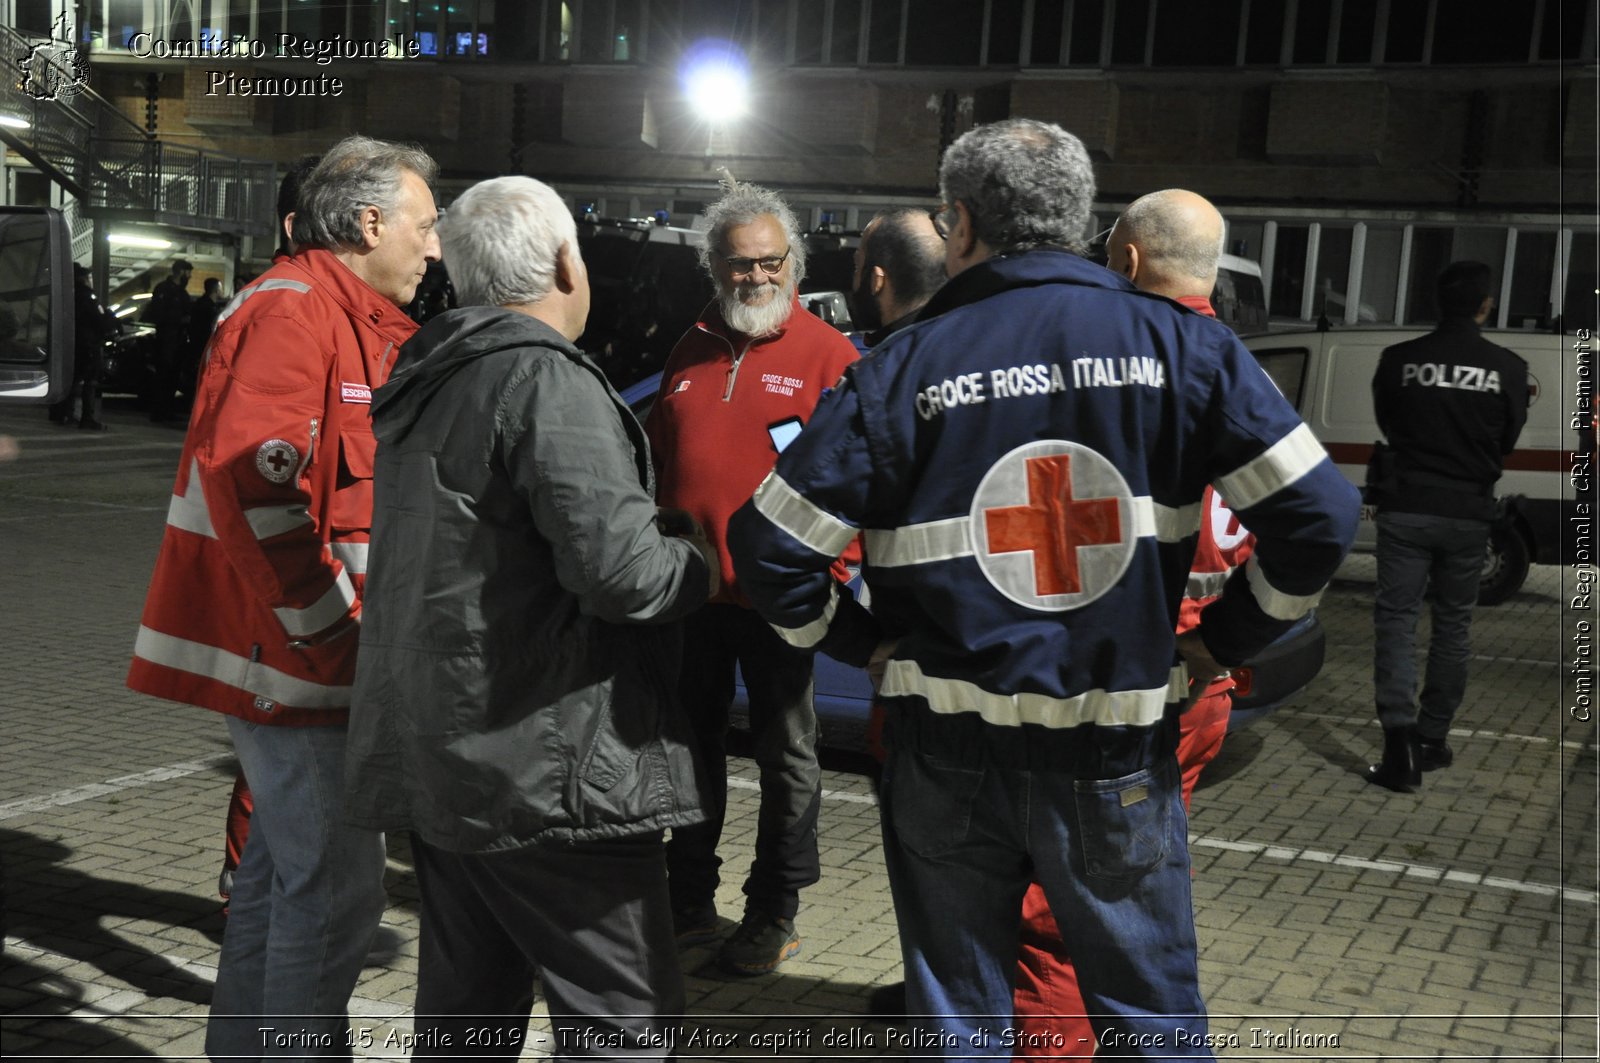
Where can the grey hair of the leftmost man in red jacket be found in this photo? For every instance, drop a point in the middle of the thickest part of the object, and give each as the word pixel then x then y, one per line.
pixel 359 172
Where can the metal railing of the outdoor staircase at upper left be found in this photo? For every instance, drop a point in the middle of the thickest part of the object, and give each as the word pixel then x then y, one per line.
pixel 110 164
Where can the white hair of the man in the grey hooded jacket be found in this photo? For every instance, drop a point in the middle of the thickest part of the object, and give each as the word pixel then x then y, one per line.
pixel 502 241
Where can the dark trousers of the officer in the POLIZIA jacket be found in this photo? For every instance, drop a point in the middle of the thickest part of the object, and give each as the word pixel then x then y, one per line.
pixel 1438 560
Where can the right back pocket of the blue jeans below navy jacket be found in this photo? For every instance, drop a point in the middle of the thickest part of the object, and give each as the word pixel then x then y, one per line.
pixel 1124 824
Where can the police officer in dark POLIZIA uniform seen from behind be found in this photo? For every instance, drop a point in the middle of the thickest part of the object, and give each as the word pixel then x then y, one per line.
pixel 1452 406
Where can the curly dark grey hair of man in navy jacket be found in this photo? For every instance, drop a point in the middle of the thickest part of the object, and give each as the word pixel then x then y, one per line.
pixel 1025 183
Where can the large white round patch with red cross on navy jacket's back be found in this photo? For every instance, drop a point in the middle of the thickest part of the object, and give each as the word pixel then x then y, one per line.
pixel 1054 526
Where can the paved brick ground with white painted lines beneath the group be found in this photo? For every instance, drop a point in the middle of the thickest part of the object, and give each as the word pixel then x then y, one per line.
pixel 1337 921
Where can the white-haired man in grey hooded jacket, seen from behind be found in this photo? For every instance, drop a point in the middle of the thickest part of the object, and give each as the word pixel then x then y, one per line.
pixel 514 702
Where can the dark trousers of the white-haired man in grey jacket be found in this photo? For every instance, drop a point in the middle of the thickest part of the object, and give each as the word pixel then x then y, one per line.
pixel 590 920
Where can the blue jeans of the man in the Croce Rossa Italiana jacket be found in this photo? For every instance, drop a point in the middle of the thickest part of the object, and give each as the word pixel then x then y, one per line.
pixel 962 843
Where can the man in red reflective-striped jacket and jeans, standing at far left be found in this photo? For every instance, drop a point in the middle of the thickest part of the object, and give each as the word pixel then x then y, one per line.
pixel 255 601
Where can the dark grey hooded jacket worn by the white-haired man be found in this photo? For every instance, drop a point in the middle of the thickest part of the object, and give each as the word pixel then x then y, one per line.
pixel 518 675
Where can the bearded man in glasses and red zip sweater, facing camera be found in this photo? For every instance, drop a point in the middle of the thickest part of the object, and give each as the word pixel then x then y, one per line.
pixel 738 387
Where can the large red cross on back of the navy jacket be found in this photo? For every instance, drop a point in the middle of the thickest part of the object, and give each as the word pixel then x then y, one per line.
pixel 1054 526
